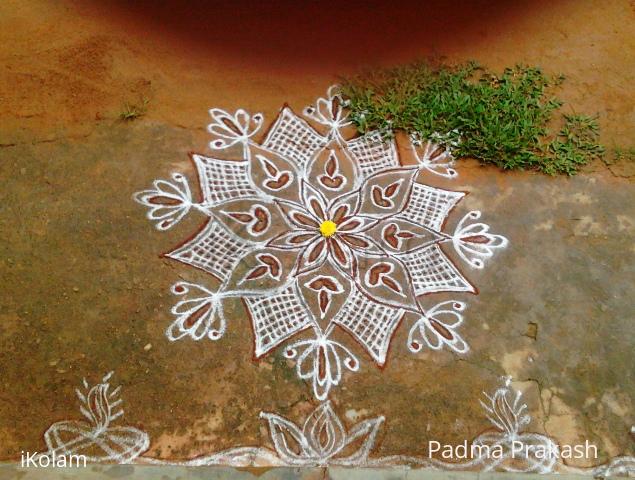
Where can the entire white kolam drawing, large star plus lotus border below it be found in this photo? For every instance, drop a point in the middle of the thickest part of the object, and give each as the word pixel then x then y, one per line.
pixel 317 230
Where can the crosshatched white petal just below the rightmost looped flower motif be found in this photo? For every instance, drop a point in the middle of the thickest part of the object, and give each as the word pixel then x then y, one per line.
pixel 432 272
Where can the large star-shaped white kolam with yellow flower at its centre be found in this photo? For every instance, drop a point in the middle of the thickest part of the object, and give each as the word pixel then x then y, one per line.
pixel 263 239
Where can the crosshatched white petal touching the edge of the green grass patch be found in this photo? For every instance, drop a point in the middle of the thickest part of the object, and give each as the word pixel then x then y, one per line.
pixel 373 153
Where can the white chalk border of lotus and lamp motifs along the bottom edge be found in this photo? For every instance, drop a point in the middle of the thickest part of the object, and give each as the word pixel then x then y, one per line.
pixel 324 439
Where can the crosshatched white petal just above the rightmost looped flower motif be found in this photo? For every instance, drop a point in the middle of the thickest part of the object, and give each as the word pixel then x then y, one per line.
pixel 430 206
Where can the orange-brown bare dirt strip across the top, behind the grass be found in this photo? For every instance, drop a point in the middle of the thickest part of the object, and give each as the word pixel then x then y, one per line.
pixel 66 66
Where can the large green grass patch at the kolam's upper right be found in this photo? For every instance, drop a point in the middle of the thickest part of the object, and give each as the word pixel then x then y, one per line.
pixel 506 120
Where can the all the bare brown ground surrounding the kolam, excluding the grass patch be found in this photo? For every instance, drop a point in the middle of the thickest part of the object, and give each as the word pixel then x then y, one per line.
pixel 83 291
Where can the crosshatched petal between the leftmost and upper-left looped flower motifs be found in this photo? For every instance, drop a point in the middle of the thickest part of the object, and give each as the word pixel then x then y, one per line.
pixel 223 180
